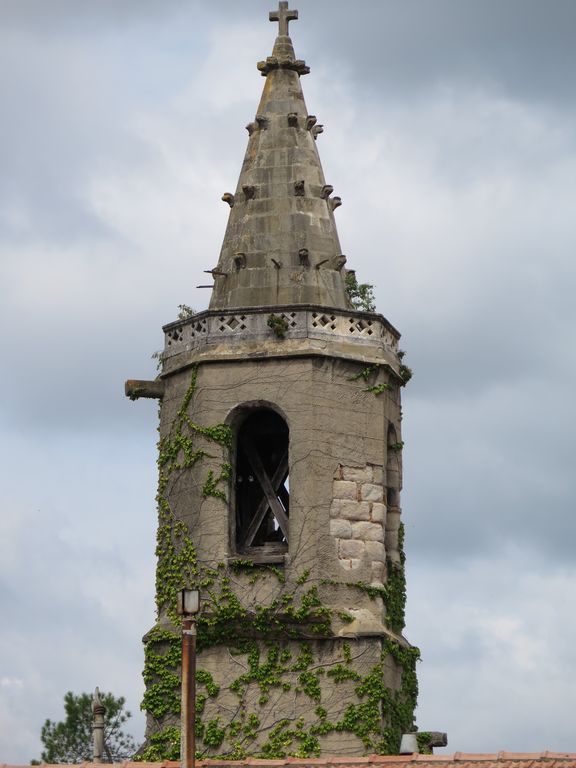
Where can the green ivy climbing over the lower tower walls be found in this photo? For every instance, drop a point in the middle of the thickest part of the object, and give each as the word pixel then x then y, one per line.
pixel 284 657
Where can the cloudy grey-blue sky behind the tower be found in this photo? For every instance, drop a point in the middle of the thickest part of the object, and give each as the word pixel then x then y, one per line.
pixel 450 134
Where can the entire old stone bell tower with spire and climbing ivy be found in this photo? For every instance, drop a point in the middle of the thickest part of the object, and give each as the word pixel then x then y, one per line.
pixel 280 470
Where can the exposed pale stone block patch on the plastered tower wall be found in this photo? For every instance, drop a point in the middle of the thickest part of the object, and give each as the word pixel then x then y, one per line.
pixel 358 518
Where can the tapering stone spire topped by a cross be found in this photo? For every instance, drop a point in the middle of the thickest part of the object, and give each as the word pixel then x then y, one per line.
pixel 281 246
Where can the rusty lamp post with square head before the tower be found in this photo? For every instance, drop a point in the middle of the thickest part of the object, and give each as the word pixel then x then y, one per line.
pixel 188 607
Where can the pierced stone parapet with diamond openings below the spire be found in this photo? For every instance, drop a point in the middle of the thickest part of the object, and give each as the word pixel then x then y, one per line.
pixel 249 325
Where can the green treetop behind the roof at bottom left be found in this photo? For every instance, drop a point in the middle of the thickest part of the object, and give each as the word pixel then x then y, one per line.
pixel 70 740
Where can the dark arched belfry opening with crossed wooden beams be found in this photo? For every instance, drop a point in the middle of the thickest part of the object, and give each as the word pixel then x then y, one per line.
pixel 262 499
